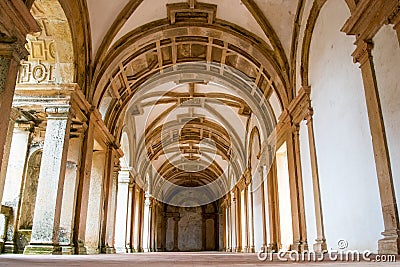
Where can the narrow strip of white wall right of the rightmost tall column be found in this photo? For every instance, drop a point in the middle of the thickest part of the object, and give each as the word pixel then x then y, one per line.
pixel 386 55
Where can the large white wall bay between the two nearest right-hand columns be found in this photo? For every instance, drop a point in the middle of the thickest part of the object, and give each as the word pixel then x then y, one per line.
pixel 349 188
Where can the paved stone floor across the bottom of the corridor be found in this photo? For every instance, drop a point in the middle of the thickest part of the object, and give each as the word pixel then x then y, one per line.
pixel 168 259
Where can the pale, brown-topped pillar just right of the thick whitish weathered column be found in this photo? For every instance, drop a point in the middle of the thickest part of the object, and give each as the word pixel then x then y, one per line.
pixel 70 194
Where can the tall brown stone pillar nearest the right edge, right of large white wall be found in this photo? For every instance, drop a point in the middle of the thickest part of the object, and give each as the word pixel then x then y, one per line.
pixel 390 244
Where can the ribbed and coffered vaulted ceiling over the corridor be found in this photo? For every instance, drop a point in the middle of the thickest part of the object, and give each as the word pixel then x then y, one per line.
pixel 186 81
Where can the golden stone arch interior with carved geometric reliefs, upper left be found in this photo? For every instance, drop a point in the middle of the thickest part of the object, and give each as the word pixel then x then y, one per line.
pixel 51 51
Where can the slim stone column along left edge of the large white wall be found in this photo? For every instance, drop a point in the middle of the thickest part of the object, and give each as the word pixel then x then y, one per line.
pixel 320 242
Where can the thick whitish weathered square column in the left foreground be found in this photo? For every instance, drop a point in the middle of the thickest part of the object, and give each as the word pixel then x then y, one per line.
pixel 46 222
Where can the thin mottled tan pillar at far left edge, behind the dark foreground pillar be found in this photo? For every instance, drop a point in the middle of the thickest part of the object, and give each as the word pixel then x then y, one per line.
pixel 7 146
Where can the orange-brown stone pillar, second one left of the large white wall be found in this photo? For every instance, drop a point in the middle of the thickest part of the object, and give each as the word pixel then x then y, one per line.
pixel 296 190
